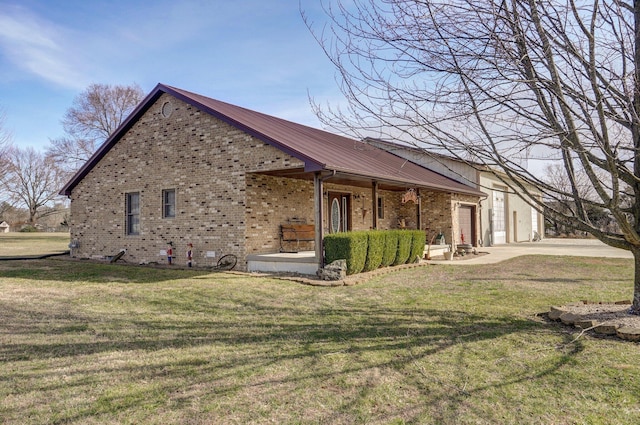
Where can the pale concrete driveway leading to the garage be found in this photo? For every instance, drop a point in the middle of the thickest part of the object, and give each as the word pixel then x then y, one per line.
pixel 572 247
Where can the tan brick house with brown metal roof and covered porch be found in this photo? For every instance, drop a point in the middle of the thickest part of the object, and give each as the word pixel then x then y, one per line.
pixel 185 168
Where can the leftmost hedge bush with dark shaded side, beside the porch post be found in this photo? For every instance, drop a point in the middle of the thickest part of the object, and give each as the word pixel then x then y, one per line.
pixel 350 246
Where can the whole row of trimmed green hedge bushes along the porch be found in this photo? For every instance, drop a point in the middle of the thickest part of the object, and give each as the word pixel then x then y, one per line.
pixel 369 250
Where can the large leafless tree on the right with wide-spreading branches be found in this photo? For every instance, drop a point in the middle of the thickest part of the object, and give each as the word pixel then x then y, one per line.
pixel 500 82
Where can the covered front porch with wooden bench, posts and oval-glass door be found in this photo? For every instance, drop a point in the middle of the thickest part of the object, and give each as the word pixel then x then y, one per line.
pixel 323 202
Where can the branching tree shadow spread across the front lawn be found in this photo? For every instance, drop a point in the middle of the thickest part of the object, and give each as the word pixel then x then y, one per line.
pixel 235 353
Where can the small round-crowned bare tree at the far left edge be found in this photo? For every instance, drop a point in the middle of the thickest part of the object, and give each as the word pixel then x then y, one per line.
pixel 31 181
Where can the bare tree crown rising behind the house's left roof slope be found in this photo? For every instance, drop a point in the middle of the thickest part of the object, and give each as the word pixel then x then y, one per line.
pixel 95 114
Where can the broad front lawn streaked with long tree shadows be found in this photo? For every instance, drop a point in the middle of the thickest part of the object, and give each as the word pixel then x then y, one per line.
pixel 86 343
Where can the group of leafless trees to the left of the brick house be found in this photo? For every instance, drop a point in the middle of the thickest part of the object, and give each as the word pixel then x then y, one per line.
pixel 31 180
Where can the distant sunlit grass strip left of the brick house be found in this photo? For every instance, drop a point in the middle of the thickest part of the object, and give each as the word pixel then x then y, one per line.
pixel 16 244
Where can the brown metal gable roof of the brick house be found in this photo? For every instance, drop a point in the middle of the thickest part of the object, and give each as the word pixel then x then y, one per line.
pixel 318 149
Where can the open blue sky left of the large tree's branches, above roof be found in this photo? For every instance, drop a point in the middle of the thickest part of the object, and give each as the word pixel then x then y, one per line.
pixel 253 53
